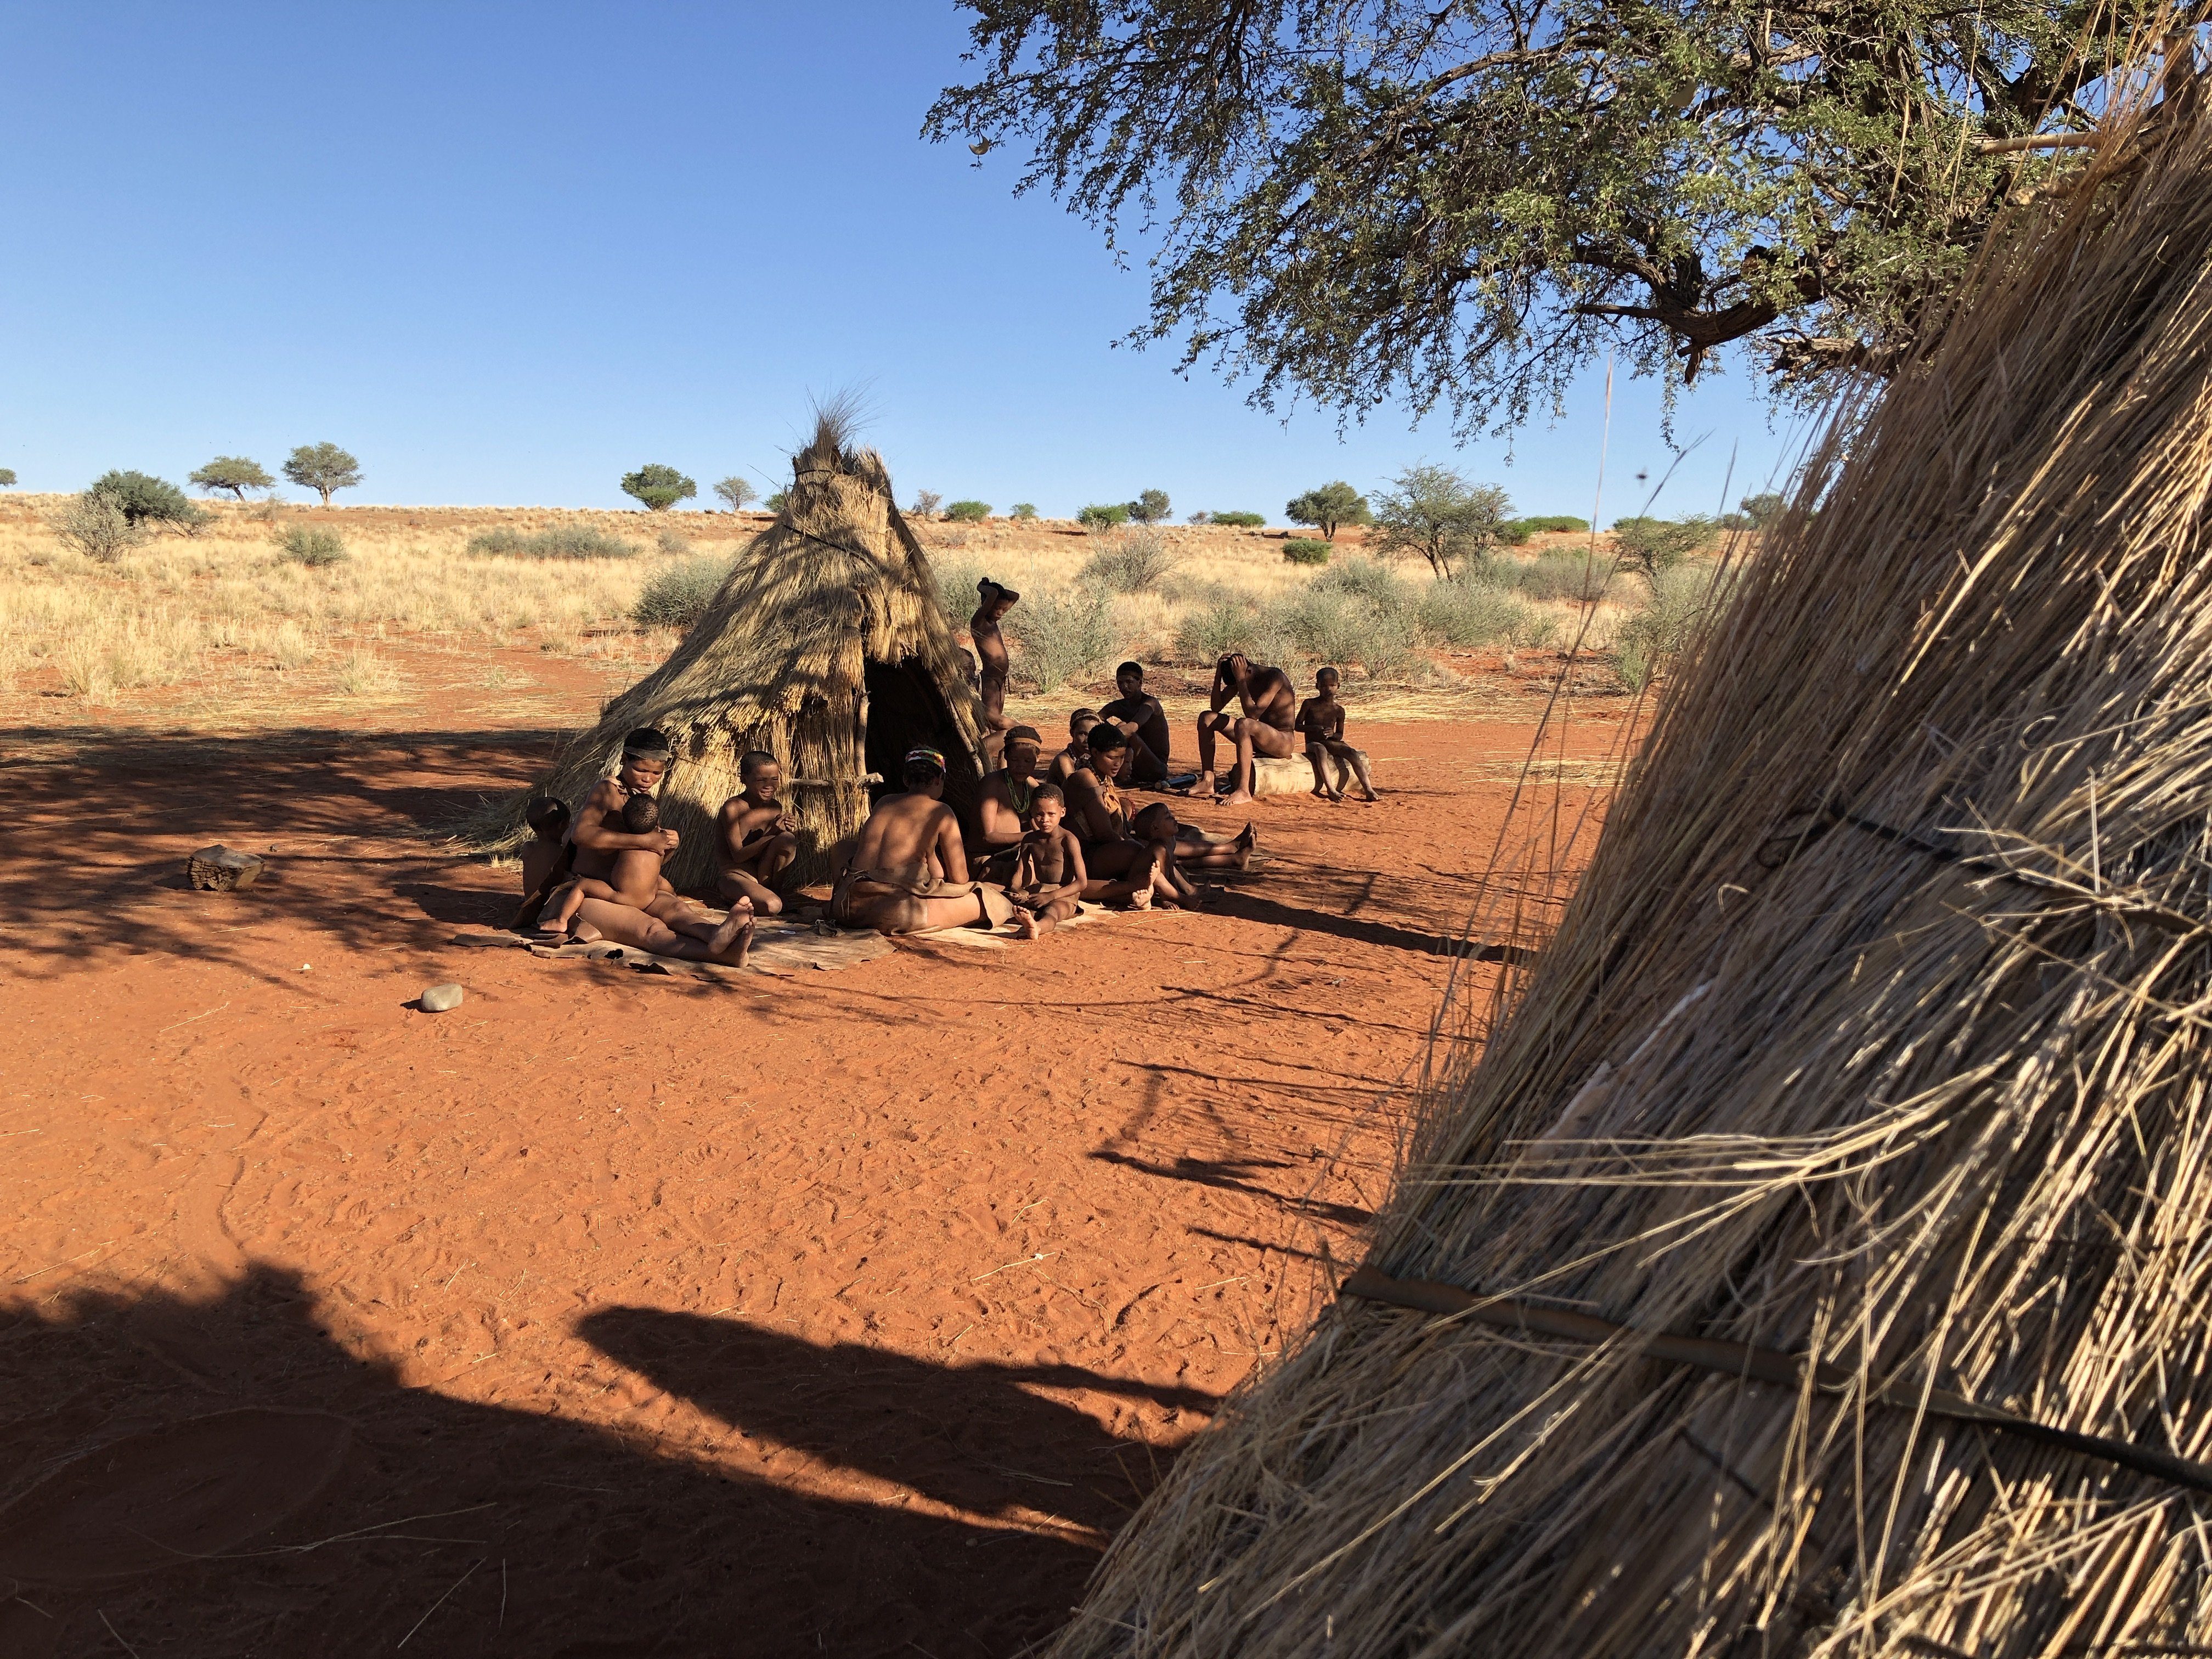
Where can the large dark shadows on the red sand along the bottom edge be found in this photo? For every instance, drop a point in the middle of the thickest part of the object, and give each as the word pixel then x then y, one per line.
pixel 145 1505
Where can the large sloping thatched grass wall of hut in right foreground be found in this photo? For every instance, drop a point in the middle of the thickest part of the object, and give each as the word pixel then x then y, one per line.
pixel 1877 1036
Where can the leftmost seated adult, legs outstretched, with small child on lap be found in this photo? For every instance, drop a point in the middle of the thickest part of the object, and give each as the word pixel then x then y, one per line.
pixel 667 924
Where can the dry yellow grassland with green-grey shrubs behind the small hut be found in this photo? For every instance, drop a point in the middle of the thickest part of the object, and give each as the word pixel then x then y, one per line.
pixel 255 618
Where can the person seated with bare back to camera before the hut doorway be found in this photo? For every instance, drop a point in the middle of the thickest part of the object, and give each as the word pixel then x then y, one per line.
pixel 908 870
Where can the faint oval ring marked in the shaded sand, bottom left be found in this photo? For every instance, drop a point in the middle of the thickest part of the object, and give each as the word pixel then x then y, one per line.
pixel 167 1496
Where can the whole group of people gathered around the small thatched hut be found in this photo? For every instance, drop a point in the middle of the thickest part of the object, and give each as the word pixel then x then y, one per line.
pixel 1050 835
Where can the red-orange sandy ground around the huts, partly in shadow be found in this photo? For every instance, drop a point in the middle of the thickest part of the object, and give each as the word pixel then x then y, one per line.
pixel 623 1315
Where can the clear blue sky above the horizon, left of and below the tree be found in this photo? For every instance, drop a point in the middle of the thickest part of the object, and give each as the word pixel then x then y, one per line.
pixel 508 253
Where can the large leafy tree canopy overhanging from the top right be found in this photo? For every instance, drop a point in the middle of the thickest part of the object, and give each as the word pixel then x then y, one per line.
pixel 1459 202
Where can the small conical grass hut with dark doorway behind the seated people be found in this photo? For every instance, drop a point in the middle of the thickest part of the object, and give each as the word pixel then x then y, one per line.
pixel 826 647
